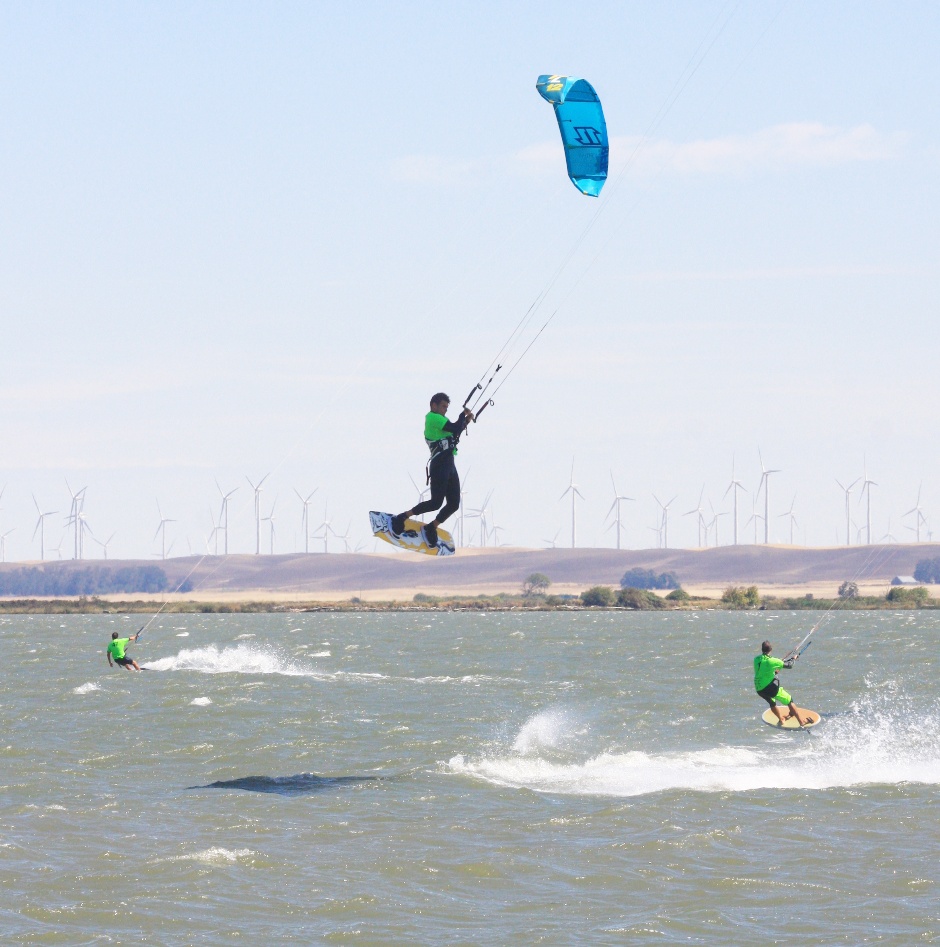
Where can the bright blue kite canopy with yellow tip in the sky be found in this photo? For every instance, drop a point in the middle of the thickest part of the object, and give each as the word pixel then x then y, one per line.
pixel 583 129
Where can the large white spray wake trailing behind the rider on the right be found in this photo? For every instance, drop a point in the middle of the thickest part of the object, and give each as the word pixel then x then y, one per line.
pixel 864 747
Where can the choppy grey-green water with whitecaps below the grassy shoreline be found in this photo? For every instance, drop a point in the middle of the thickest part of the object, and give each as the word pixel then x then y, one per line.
pixel 467 779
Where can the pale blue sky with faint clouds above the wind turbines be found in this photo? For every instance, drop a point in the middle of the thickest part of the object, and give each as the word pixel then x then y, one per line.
pixel 242 237
